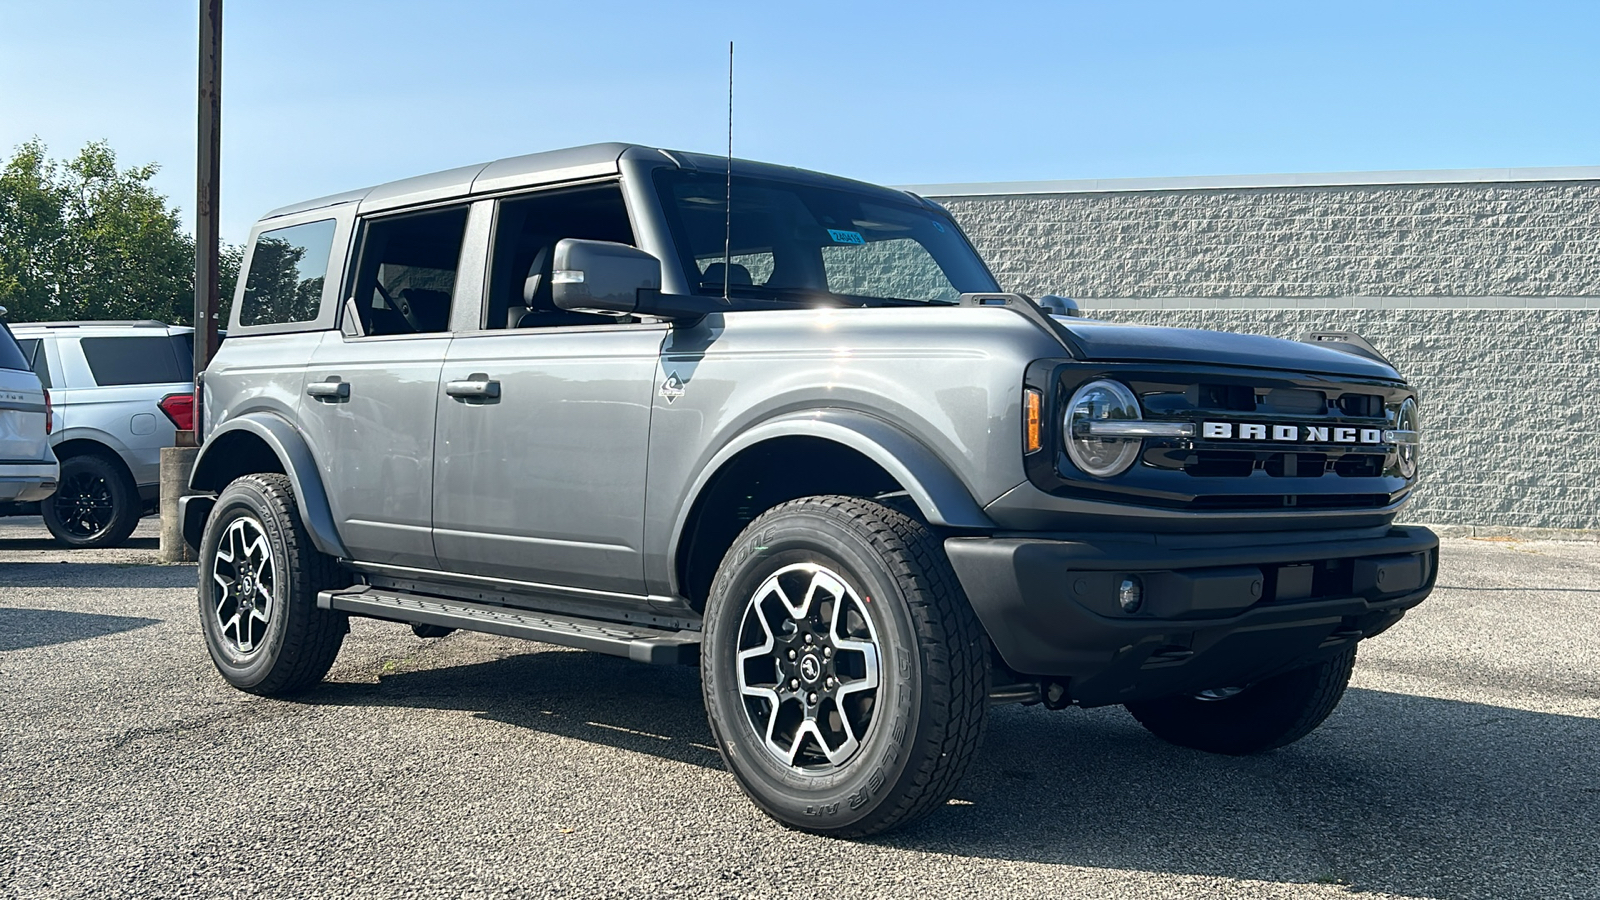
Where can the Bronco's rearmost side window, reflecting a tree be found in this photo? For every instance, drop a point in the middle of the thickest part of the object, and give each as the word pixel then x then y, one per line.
pixel 287 270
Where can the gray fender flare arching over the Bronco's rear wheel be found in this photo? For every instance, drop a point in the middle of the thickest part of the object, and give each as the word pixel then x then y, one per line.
pixel 294 454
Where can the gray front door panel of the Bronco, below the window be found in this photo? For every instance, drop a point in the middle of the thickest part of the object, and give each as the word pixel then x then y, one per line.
pixel 540 457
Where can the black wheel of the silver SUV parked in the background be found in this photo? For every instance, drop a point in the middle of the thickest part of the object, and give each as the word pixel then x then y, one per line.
pixel 97 505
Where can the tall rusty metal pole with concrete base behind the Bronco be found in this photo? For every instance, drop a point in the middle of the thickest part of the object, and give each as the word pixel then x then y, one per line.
pixel 177 462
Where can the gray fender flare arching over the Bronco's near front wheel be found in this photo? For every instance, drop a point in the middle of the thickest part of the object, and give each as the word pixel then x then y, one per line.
pixel 929 481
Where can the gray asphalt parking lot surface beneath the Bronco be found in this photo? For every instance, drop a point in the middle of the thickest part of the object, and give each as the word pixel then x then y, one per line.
pixel 1463 763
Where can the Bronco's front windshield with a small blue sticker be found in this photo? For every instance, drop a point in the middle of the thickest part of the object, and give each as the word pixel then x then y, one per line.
pixel 801 243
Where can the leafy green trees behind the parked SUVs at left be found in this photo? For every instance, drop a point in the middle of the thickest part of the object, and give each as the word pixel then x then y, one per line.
pixel 82 239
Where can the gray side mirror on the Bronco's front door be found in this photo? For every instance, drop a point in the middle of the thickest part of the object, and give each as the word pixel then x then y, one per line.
pixel 615 279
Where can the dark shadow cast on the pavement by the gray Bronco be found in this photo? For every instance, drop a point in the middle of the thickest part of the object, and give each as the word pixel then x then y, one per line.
pixel 1394 794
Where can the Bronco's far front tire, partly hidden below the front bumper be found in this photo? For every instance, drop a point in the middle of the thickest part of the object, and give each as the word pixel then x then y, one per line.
pixel 1263 717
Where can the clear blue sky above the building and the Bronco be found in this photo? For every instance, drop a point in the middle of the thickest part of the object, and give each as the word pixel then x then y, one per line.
pixel 329 95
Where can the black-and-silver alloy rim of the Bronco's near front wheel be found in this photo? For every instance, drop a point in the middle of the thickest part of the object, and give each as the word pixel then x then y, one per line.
pixel 809 667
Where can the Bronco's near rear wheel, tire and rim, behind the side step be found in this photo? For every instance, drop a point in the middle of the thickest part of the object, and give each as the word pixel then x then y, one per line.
pixel 260 577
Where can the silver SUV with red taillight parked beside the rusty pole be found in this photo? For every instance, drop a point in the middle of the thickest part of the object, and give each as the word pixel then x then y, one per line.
pixel 119 393
